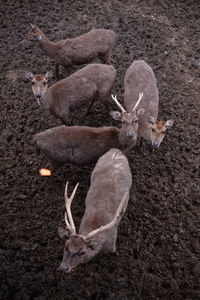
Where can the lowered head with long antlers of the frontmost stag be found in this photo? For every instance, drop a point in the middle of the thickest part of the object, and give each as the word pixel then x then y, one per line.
pixel 79 248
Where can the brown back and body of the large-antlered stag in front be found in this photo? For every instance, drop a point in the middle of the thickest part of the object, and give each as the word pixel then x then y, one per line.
pixel 110 180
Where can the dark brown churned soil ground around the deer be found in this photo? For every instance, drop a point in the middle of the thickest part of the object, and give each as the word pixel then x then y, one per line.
pixel 158 250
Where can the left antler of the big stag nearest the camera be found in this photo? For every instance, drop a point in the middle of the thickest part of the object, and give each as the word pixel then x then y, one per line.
pixel 68 215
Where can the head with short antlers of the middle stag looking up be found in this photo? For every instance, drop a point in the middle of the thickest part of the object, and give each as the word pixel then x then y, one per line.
pixel 129 120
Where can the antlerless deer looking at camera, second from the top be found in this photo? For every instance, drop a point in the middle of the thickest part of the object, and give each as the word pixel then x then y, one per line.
pixel 83 87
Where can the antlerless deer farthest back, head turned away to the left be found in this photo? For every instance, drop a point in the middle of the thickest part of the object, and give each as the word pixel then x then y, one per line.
pixel 97 43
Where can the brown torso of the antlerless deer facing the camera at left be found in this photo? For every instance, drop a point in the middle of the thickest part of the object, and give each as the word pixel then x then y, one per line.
pixel 81 87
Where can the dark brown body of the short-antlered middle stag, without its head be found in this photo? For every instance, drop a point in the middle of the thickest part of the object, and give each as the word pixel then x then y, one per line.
pixel 78 145
